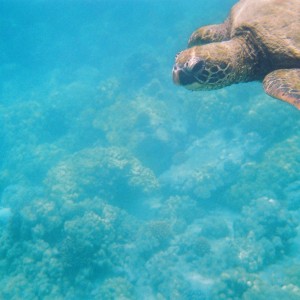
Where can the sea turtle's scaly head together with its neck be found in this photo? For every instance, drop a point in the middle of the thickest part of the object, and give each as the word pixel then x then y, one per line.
pixel 213 66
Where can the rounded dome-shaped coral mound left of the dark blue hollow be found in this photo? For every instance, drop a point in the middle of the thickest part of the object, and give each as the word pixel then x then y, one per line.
pixel 112 173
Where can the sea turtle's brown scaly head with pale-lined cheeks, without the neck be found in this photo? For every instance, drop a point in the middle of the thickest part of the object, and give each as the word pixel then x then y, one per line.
pixel 205 67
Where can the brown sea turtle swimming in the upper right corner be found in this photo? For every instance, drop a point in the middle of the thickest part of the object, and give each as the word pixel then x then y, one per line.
pixel 260 40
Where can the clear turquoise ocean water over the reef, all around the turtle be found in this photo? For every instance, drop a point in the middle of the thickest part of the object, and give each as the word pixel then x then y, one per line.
pixel 117 184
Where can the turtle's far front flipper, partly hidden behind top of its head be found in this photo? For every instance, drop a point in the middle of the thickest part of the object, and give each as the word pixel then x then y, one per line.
pixel 210 34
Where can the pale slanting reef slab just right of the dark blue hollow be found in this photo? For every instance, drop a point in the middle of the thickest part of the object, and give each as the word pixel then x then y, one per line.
pixel 210 163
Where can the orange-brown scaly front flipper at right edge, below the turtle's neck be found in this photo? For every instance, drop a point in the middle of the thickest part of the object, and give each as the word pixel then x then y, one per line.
pixel 284 85
